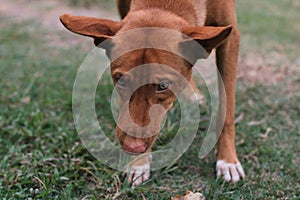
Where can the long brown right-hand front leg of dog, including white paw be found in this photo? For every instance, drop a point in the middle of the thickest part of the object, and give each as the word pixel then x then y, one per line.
pixel 228 164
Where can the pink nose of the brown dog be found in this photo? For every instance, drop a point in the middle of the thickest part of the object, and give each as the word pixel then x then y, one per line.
pixel 134 145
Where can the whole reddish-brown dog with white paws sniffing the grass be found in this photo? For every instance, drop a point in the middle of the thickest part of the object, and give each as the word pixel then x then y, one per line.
pixel 211 23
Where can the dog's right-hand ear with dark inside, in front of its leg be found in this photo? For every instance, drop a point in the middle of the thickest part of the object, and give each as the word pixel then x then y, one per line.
pixel 207 36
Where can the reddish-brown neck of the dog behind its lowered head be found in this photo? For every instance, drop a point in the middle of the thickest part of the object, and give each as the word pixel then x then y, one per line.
pixel 164 13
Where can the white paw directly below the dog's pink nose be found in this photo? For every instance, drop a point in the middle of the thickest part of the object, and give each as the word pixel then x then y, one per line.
pixel 138 174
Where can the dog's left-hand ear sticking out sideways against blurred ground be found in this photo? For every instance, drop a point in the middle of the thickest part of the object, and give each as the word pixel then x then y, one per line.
pixel 97 28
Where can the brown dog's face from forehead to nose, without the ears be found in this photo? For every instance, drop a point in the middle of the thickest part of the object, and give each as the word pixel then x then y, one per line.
pixel 147 82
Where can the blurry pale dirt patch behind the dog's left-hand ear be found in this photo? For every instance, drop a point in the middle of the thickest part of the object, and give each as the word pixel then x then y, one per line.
pixel 47 13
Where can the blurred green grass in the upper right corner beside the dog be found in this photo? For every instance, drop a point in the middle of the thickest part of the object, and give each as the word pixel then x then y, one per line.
pixel 269 26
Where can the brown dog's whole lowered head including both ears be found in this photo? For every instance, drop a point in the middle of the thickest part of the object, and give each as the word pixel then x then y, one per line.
pixel 147 93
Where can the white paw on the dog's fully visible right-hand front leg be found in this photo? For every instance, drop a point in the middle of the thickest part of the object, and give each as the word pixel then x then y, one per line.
pixel 229 171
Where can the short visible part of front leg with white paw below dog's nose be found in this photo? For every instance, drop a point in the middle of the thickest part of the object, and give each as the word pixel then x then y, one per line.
pixel 138 171
